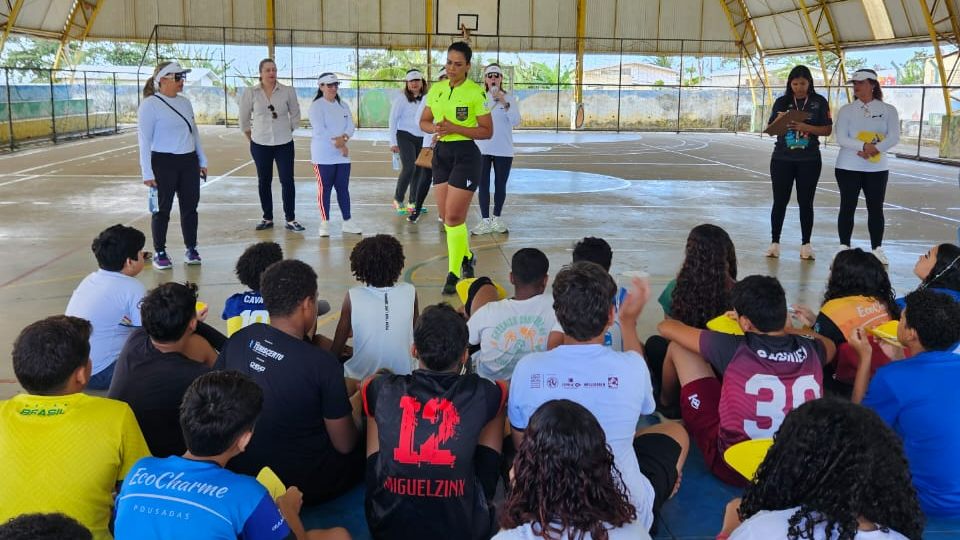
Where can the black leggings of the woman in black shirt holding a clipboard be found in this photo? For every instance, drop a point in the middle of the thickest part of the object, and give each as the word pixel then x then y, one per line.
pixel 783 173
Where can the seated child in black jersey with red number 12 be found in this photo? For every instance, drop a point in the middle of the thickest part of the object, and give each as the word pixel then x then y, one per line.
pixel 433 440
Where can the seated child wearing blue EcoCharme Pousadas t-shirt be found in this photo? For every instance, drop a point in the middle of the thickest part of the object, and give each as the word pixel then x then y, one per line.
pixel 195 496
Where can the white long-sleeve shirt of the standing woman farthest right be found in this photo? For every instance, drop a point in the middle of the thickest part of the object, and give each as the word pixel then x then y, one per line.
pixel 873 117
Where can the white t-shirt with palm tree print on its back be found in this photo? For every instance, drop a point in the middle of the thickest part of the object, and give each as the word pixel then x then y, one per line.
pixel 507 331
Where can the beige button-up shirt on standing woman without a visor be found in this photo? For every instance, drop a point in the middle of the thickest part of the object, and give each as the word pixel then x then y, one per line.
pixel 257 118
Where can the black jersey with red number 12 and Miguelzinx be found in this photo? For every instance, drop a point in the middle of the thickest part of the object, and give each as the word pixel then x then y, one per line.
pixel 422 482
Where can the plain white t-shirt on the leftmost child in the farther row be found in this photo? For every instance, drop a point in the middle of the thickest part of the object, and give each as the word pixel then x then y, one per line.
pixel 111 302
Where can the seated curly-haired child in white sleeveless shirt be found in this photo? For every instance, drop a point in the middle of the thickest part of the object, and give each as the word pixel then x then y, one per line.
pixel 379 314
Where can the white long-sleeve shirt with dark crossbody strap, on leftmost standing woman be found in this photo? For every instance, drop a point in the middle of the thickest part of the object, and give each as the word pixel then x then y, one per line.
pixel 159 129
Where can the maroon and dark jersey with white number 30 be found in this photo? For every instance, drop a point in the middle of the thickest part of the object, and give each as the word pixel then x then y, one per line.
pixel 764 377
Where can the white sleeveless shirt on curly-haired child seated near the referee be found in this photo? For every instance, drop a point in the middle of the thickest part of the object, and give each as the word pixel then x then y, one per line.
pixel 382 324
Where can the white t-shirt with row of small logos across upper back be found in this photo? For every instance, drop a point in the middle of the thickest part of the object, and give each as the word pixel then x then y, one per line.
pixel 614 386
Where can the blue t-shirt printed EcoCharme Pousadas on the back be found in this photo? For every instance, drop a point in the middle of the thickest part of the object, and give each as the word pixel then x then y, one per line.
pixel 176 497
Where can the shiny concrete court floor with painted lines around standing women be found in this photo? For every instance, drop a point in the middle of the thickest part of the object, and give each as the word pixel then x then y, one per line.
pixel 54 200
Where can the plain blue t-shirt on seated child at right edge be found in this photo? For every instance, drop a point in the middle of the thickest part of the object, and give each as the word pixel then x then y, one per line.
pixel 918 398
